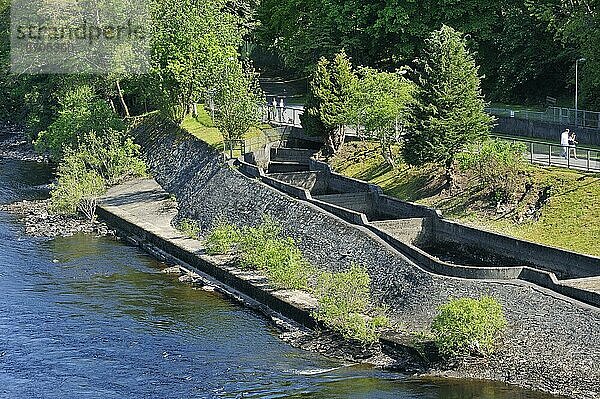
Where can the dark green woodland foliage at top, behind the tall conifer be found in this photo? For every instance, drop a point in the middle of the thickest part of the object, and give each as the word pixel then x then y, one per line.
pixel 519 56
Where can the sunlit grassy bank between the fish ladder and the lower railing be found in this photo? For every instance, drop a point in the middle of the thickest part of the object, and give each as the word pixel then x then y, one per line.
pixel 569 219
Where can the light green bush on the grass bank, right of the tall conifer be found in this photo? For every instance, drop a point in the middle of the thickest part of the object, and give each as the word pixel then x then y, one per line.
pixel 497 165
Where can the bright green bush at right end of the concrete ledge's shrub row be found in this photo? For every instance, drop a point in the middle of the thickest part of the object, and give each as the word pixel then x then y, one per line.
pixel 343 304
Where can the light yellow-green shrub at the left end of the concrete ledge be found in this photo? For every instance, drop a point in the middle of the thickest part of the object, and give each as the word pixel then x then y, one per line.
pixel 77 188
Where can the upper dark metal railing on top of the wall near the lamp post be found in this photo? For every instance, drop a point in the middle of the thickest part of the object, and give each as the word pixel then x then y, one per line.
pixel 563 116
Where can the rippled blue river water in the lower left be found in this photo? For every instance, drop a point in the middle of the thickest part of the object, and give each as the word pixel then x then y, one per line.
pixel 85 317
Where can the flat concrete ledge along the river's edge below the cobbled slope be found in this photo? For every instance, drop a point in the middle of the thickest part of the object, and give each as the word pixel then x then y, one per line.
pixel 145 213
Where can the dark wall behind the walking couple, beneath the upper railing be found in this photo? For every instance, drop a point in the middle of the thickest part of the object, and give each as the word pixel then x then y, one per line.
pixel 545 130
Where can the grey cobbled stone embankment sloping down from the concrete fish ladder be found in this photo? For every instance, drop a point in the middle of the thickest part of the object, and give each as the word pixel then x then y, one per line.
pixel 550 344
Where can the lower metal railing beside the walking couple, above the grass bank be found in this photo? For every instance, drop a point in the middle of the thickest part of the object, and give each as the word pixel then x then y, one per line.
pixel 550 154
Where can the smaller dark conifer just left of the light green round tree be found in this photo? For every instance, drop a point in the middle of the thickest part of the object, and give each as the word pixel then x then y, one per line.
pixel 327 105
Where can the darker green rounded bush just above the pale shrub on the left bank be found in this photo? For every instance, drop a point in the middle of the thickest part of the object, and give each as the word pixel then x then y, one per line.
pixel 81 112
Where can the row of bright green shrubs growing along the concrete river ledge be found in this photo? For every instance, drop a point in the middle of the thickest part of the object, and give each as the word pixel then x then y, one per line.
pixel 343 298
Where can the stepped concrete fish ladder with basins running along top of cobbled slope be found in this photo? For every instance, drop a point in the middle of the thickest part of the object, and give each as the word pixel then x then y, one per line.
pixel 438 245
